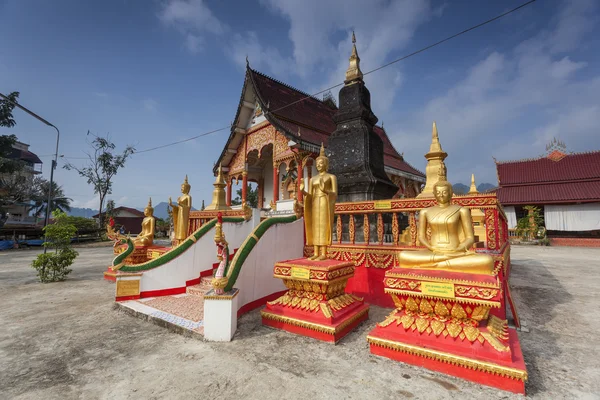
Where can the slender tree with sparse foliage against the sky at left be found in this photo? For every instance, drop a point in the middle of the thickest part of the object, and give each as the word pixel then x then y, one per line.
pixel 102 166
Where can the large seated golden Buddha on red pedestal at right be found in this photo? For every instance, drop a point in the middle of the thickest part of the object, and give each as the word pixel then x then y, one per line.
pixel 445 250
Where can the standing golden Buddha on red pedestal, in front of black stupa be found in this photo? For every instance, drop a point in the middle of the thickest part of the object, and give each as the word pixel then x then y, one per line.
pixel 319 207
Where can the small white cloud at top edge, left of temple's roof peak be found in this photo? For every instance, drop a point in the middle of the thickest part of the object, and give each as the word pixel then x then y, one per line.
pixel 193 19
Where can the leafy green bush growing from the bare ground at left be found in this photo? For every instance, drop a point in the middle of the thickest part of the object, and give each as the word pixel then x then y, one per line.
pixel 53 267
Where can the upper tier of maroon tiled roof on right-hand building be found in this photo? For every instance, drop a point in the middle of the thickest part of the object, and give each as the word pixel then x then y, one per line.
pixel 571 167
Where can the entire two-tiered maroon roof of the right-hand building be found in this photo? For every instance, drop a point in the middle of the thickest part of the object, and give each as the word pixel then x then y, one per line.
pixel 555 178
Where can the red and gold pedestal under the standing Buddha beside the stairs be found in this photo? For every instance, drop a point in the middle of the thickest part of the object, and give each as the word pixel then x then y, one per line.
pixel 316 304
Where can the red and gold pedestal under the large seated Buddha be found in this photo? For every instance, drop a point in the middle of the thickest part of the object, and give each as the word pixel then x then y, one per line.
pixel 446 321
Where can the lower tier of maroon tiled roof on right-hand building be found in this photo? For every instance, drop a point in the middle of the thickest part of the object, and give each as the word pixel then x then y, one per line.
pixel 548 193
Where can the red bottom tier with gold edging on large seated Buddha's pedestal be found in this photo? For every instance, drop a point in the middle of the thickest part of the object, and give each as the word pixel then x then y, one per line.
pixel 510 376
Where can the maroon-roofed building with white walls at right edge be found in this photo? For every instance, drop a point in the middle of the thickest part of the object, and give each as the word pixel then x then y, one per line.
pixel 566 187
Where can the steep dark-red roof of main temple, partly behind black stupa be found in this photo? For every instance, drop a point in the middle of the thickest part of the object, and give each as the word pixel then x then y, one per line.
pixel 306 119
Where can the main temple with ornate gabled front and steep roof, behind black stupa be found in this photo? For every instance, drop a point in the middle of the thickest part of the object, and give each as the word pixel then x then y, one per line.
pixel 276 136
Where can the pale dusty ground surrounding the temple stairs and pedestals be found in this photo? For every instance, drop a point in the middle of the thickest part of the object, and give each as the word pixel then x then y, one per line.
pixel 65 341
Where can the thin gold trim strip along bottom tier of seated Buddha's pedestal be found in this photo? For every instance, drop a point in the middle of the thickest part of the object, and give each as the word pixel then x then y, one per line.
pixel 452 359
